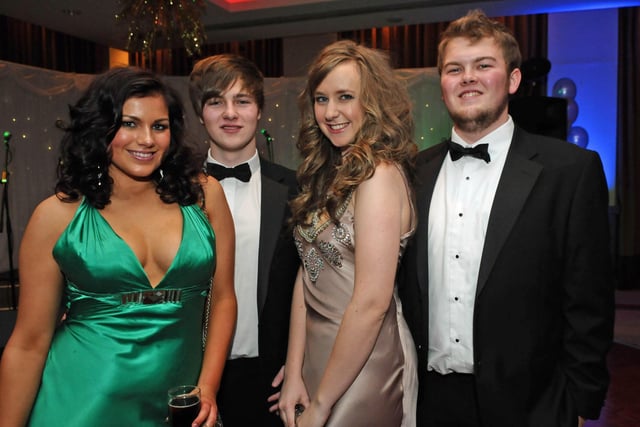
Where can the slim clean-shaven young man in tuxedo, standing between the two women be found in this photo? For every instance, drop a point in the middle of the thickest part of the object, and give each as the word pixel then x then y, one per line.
pixel 227 94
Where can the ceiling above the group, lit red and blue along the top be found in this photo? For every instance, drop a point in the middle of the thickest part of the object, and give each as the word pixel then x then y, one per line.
pixel 236 20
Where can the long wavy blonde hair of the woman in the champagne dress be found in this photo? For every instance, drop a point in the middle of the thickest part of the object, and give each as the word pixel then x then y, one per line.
pixel 326 177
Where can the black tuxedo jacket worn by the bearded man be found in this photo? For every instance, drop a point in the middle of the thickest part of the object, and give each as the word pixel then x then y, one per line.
pixel 543 316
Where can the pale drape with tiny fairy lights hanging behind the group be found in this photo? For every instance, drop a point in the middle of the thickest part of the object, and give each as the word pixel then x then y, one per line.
pixel 33 99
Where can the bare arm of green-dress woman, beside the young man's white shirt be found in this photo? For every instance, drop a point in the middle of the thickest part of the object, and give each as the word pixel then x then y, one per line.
pixel 222 312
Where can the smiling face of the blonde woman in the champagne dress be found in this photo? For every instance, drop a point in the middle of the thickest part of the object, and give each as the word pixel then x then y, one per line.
pixel 337 106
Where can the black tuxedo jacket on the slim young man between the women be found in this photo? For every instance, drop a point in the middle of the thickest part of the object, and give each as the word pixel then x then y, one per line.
pixel 278 263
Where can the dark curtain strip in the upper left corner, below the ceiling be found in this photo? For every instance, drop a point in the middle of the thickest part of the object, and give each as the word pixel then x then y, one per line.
pixel 30 44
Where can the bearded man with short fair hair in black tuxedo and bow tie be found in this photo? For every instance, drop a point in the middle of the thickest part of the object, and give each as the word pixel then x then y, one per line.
pixel 507 284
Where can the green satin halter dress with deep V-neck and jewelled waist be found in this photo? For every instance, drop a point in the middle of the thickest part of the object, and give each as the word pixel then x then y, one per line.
pixel 123 343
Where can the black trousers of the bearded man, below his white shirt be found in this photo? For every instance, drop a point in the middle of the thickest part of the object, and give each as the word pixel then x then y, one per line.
pixel 449 401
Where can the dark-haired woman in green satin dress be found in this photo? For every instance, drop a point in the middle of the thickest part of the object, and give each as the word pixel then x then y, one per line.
pixel 129 246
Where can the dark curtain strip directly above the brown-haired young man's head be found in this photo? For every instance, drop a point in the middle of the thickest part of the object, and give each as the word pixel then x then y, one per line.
pixel 267 54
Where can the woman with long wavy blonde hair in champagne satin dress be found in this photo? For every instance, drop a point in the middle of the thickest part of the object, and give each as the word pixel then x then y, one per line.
pixel 351 360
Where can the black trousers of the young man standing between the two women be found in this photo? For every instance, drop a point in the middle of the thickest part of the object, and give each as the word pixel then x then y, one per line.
pixel 242 398
